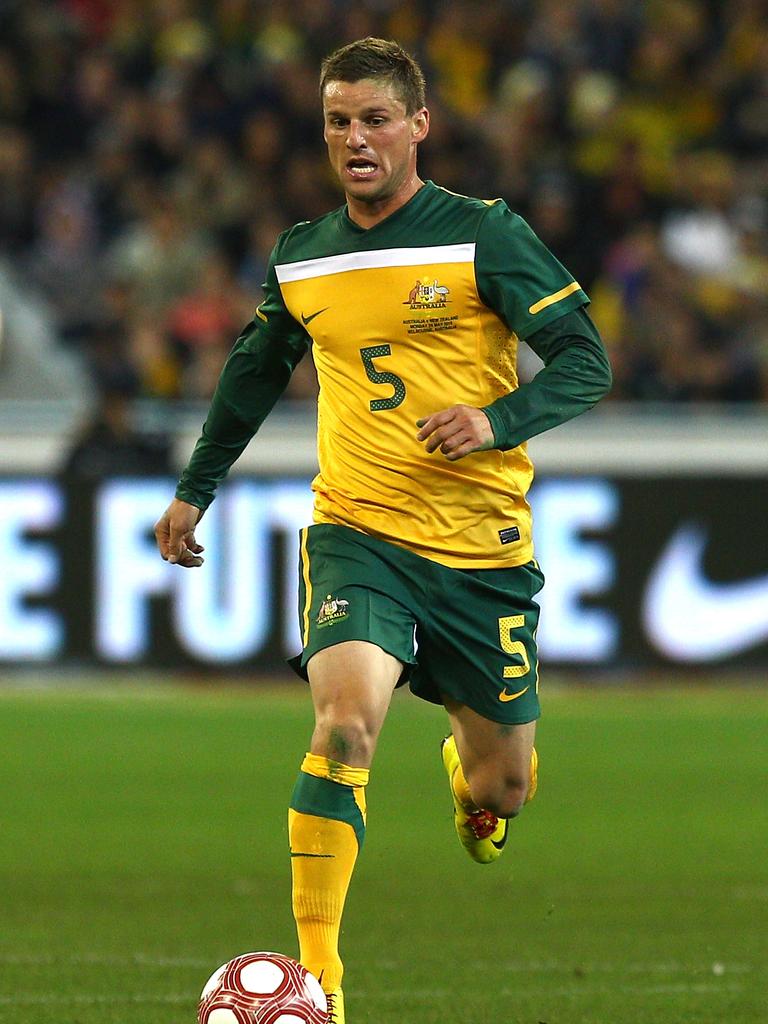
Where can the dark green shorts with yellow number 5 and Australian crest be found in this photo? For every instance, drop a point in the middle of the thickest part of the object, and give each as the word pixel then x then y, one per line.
pixel 470 634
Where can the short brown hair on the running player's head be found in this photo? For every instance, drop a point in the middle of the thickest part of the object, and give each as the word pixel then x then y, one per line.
pixel 377 59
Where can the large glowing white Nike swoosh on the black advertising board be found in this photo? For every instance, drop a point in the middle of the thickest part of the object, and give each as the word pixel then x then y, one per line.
pixel 691 619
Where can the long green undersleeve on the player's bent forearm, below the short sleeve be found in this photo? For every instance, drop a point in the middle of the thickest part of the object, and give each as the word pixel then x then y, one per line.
pixel 576 375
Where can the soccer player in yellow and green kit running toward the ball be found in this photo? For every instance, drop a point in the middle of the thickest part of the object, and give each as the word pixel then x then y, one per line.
pixel 419 566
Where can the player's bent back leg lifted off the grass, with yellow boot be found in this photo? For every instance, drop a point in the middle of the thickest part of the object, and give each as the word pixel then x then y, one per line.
pixel 493 773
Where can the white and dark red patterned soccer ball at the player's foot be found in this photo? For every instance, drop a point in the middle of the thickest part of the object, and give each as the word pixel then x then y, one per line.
pixel 263 989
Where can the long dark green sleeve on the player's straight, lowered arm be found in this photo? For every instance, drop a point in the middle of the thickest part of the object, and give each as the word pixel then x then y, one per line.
pixel 255 375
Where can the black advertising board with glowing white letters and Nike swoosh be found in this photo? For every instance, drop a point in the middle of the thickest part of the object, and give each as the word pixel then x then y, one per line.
pixel 641 572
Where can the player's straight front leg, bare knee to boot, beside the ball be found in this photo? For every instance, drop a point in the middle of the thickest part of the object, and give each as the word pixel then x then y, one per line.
pixel 352 686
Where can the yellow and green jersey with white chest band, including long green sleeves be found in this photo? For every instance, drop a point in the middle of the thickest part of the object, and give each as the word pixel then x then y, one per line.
pixel 420 313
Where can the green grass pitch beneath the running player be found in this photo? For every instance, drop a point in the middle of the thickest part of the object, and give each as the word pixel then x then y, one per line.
pixel 143 843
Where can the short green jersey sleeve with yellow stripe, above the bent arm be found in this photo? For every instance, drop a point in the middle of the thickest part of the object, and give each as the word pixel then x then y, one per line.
pixel 518 277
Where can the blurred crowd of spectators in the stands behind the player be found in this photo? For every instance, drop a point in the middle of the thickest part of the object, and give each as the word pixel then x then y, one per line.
pixel 151 151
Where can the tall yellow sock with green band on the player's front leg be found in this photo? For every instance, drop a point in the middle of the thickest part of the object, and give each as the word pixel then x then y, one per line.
pixel 326 827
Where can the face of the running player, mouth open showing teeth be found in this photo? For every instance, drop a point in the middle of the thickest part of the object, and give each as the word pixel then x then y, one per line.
pixel 371 140
